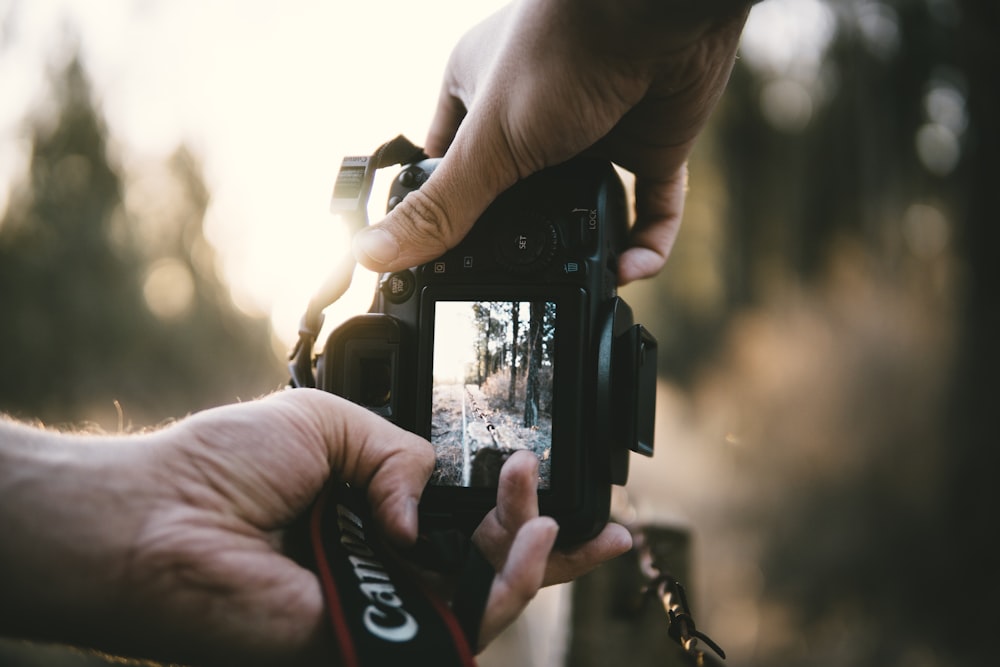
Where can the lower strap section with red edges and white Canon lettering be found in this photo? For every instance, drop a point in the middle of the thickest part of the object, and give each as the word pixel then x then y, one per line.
pixel 379 613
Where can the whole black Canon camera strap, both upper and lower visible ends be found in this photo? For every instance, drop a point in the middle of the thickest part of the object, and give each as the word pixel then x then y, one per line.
pixel 378 611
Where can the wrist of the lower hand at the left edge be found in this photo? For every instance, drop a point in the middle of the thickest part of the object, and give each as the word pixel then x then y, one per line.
pixel 66 503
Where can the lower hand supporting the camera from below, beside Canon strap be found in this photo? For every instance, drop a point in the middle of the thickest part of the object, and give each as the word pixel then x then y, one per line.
pixel 170 545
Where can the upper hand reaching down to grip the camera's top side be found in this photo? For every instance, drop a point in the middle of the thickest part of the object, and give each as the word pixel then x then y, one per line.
pixel 544 80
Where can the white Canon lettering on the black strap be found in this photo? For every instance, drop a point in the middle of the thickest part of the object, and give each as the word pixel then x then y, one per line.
pixel 385 617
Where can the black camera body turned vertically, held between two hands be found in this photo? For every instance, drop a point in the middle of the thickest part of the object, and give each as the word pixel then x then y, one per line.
pixel 514 339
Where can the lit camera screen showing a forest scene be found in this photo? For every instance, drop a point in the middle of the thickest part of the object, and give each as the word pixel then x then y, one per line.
pixel 493 366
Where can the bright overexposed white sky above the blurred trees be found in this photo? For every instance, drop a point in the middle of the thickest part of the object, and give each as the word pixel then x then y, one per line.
pixel 271 96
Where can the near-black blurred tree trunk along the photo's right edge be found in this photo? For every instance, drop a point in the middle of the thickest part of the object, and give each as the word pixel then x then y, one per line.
pixel 971 539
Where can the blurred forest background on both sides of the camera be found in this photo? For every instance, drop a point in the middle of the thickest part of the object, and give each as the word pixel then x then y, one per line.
pixel 828 328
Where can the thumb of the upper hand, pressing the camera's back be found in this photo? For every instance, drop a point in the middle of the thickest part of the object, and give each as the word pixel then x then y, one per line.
pixel 432 220
